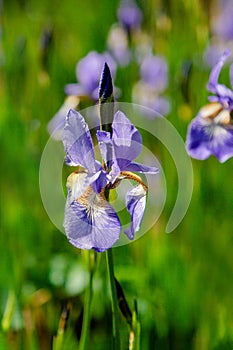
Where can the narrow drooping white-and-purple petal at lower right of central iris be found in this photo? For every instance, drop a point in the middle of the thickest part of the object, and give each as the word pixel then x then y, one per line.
pixel 136 203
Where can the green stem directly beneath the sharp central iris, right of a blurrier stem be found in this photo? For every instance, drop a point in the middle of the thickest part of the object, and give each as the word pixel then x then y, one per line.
pixel 115 319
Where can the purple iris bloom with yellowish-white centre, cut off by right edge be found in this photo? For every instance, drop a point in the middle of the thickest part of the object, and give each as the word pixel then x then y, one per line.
pixel 211 132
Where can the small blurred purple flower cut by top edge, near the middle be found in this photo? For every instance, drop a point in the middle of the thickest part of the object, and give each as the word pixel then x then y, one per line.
pixel 129 15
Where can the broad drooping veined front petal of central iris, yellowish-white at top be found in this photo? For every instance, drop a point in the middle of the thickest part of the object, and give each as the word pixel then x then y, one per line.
pixel 91 222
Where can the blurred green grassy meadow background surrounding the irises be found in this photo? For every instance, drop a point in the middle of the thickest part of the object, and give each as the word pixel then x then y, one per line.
pixel 183 282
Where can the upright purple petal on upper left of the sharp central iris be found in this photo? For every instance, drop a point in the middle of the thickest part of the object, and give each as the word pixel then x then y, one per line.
pixel 78 142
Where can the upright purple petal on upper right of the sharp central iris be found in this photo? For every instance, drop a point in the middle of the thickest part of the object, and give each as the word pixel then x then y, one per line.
pixel 127 141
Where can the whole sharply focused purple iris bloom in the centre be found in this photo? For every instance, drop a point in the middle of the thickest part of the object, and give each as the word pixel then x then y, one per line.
pixel 90 220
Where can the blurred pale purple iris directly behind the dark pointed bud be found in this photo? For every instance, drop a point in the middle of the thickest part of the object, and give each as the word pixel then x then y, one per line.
pixel 88 71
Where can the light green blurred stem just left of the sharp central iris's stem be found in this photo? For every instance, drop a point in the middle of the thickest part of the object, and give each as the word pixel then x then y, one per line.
pixel 87 307
